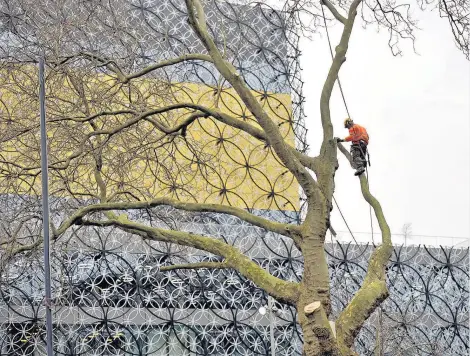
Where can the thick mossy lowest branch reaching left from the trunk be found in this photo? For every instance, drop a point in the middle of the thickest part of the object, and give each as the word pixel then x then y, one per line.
pixel 278 288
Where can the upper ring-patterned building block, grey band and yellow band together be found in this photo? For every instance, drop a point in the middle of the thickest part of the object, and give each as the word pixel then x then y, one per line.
pixel 213 162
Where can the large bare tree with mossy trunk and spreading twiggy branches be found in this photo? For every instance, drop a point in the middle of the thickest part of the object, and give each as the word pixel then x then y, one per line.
pixel 101 99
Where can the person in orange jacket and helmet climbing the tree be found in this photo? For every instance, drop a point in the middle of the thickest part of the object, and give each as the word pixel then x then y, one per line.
pixel 360 139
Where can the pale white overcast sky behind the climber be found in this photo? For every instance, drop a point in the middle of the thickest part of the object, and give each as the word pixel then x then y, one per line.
pixel 416 109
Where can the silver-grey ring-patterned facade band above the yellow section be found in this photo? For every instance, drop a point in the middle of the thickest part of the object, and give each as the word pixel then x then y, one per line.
pixel 135 33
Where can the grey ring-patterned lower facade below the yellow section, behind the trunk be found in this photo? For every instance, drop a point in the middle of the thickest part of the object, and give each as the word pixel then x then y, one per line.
pixel 110 297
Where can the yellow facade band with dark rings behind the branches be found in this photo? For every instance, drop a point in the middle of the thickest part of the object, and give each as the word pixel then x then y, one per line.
pixel 212 163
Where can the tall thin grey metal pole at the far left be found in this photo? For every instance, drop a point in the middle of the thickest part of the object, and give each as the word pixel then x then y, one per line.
pixel 45 207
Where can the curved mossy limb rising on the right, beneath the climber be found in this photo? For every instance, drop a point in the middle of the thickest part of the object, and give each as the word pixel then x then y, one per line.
pixel 374 288
